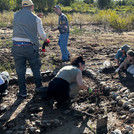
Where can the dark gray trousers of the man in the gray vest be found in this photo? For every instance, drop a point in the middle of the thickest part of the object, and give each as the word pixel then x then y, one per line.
pixel 21 54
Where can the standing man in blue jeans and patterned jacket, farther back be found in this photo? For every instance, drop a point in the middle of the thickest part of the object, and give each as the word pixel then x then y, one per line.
pixel 63 27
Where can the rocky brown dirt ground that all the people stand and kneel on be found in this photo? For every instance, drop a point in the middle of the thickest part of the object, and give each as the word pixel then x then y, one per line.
pixel 96 43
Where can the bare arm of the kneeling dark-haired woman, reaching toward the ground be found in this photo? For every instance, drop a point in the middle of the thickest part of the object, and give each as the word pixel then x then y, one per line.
pixel 80 82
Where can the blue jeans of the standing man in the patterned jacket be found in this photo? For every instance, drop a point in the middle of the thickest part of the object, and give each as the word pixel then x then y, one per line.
pixel 63 40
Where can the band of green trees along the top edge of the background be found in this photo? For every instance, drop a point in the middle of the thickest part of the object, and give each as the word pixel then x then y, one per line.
pixel 47 5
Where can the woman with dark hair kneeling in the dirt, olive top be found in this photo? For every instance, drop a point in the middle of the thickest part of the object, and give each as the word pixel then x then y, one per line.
pixel 68 81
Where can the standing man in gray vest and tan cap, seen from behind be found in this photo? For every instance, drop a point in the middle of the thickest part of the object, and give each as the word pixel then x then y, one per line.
pixel 26 28
